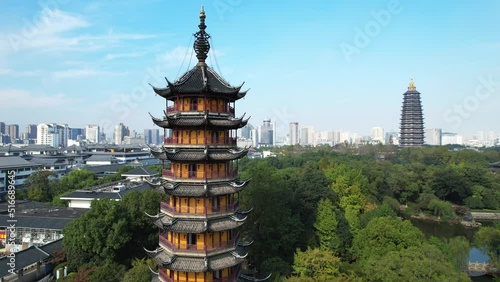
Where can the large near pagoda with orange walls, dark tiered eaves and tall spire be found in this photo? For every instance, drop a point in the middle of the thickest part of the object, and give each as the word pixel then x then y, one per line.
pixel 198 240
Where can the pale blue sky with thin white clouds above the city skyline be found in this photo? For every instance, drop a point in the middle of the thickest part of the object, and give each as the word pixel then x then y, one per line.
pixel 340 65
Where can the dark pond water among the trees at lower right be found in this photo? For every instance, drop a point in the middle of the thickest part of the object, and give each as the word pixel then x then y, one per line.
pixel 447 230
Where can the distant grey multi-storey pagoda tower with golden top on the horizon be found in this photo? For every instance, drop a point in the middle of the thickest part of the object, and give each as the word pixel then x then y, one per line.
pixel 412 121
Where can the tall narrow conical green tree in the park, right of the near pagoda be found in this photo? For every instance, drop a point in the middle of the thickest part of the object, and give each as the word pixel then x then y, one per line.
pixel 326 226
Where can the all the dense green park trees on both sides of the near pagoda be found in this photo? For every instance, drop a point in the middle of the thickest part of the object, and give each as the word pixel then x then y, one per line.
pixel 319 214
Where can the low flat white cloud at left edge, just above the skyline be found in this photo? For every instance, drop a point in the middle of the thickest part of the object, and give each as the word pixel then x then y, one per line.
pixel 22 99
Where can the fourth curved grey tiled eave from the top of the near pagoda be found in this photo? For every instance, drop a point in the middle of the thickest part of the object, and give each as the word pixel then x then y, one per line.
pixel 181 189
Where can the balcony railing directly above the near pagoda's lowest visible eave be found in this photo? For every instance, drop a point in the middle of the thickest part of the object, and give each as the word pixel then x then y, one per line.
pixel 199 248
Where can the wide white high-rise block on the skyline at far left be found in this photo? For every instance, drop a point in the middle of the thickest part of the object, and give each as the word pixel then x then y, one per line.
pixel 55 135
